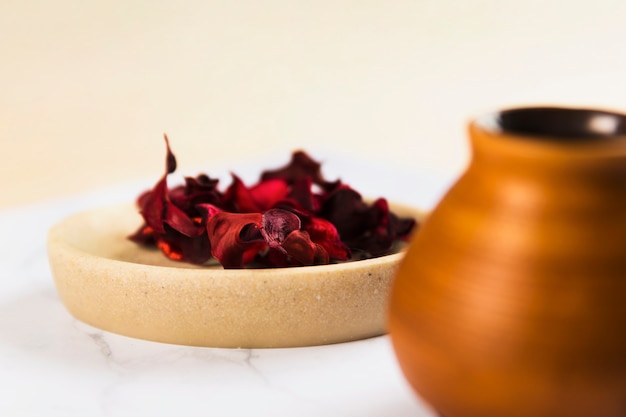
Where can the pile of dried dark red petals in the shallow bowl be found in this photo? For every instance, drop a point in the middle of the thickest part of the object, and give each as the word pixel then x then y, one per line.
pixel 279 221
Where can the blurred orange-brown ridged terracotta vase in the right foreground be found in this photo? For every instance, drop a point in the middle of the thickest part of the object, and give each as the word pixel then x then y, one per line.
pixel 511 299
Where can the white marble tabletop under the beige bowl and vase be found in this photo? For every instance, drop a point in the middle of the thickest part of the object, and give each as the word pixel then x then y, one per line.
pixel 53 365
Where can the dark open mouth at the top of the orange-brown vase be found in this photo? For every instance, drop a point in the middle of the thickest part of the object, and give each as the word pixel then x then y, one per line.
pixel 557 123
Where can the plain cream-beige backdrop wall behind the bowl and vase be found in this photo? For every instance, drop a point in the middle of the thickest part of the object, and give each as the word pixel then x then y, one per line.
pixel 88 88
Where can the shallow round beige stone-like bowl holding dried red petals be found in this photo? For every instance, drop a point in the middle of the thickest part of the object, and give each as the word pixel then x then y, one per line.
pixel 114 284
